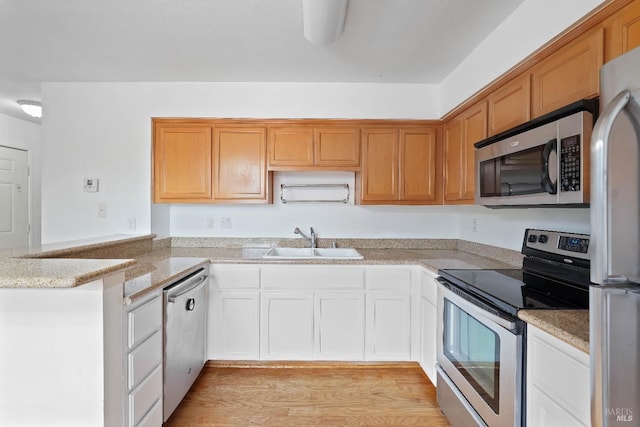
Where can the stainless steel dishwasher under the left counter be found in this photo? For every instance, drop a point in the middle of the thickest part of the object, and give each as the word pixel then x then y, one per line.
pixel 185 328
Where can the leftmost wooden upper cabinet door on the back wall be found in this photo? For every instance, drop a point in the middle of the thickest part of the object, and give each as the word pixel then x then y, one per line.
pixel 182 163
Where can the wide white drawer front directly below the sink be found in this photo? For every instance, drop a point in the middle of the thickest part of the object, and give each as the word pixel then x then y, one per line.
pixel 312 278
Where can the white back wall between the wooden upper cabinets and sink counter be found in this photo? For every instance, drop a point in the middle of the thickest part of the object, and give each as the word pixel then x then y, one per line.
pixel 329 220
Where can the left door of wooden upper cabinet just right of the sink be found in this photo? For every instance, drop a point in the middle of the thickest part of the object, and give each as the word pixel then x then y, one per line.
pixel 380 165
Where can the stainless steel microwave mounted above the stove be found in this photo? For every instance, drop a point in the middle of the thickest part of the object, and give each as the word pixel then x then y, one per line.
pixel 543 162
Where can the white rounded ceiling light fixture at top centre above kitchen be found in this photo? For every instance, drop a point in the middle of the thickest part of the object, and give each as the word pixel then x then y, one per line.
pixel 323 20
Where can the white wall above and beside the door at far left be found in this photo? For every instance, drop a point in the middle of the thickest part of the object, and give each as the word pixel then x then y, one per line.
pixel 26 135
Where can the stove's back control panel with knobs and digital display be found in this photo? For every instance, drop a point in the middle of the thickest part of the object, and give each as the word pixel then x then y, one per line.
pixel 555 242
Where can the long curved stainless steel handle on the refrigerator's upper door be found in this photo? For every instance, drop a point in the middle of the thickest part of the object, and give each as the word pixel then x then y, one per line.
pixel 600 262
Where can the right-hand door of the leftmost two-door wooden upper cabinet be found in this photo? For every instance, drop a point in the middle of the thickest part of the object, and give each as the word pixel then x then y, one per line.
pixel 240 164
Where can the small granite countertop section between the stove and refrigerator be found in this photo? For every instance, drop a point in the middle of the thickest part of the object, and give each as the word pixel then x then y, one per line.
pixel 570 326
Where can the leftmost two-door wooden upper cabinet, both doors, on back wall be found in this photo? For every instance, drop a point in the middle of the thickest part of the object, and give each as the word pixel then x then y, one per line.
pixel 205 163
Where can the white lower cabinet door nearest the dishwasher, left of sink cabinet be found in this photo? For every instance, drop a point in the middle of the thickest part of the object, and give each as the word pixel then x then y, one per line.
pixel 236 331
